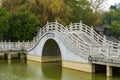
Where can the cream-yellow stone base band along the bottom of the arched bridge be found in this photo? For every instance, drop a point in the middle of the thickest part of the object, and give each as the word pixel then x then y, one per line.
pixel 90 68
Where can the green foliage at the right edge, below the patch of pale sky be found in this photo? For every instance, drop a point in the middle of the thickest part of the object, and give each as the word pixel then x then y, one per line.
pixel 112 18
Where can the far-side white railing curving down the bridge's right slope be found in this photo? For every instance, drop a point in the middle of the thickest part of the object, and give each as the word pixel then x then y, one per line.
pixel 90 32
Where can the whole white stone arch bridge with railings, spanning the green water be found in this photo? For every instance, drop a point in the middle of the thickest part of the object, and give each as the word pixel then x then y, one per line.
pixel 77 45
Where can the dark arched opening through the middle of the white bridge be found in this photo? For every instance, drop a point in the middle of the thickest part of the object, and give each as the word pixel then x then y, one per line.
pixel 51 51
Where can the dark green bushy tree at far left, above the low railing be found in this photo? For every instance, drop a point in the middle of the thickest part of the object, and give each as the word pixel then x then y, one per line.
pixel 19 24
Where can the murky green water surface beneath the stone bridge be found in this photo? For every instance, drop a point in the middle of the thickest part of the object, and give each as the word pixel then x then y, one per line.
pixel 29 70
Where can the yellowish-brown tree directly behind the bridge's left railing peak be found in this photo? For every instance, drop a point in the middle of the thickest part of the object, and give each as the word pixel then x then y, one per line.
pixel 50 10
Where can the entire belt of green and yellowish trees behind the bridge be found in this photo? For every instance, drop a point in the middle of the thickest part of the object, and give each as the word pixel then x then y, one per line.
pixel 20 19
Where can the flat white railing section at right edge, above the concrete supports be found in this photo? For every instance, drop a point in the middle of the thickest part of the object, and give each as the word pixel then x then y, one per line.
pixel 106 53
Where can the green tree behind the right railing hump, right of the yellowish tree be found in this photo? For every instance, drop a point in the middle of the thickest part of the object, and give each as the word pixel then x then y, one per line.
pixel 81 10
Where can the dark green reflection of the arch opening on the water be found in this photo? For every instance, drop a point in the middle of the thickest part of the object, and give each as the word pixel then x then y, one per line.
pixel 52 71
